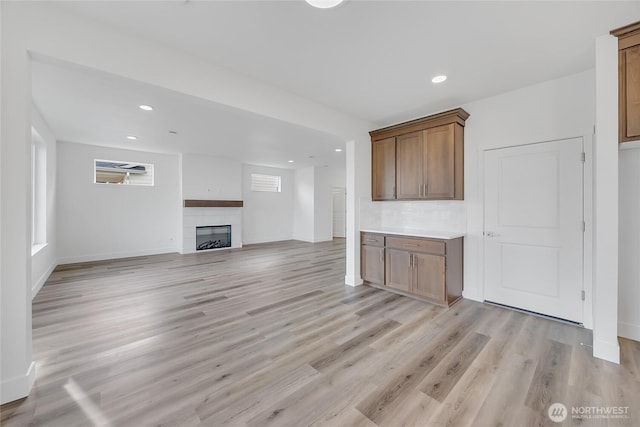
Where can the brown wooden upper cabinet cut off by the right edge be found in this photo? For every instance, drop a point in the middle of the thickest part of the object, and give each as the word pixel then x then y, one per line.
pixel 628 82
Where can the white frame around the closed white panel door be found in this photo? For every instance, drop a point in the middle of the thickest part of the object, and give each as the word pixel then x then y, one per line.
pixel 587 214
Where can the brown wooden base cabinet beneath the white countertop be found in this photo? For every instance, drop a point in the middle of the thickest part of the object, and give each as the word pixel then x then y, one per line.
pixel 425 268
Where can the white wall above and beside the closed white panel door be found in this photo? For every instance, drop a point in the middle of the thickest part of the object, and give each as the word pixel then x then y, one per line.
pixel 552 110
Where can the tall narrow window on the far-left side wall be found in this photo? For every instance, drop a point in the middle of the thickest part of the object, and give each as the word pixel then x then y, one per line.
pixel 38 190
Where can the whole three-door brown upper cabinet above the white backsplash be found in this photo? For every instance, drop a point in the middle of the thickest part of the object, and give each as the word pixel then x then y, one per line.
pixel 420 160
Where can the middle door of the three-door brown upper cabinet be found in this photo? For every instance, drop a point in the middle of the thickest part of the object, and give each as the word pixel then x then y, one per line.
pixel 409 166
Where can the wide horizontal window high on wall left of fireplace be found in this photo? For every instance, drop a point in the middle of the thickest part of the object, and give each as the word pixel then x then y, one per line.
pixel 123 173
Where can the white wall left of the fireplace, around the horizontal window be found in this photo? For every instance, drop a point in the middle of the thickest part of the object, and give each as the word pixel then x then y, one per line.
pixel 105 221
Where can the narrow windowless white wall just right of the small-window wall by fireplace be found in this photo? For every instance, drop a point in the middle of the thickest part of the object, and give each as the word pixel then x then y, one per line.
pixel 303 205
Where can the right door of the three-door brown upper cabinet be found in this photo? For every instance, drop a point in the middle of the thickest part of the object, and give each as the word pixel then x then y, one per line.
pixel 438 161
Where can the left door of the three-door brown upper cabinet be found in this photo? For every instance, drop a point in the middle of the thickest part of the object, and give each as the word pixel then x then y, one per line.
pixel 383 169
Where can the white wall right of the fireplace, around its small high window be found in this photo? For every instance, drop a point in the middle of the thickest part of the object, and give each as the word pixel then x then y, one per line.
pixel 267 217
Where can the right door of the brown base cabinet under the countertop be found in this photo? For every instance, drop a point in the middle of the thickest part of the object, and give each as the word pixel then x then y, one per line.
pixel 428 276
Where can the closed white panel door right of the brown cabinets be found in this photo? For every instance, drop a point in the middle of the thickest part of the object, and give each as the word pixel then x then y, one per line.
pixel 533 213
